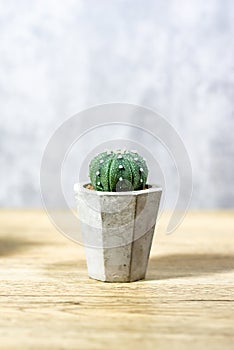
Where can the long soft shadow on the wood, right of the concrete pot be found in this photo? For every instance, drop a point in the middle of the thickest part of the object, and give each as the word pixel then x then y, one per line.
pixel 188 265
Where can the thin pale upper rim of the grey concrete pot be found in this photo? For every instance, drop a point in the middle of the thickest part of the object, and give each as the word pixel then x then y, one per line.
pixel 80 187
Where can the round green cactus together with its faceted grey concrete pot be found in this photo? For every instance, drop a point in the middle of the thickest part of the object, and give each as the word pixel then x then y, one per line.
pixel 117 213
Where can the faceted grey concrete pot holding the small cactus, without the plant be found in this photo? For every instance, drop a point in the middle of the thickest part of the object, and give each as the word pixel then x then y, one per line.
pixel 117 231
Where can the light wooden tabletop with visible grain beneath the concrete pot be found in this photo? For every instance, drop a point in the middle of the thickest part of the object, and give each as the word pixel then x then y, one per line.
pixel 48 302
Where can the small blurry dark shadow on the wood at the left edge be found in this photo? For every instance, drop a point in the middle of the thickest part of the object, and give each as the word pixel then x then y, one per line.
pixel 12 245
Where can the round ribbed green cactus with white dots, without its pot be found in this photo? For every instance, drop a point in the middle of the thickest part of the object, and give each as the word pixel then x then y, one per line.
pixel 119 170
